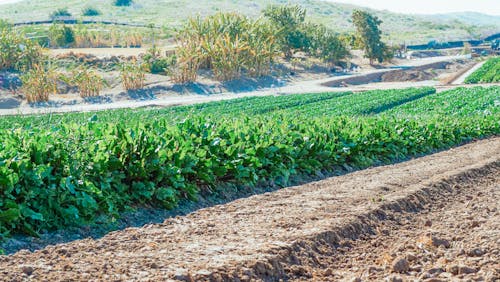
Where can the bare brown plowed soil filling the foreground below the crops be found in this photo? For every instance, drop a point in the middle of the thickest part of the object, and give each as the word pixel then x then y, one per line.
pixel 306 232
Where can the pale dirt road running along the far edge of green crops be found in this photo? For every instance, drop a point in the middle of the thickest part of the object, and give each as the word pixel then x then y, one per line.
pixel 163 95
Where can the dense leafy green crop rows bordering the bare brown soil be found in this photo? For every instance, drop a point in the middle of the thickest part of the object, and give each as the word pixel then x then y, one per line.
pixel 70 171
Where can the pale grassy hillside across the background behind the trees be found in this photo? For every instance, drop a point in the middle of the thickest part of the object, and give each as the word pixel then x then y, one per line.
pixel 171 13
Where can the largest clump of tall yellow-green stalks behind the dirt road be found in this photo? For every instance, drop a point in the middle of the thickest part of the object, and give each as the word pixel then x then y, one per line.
pixel 229 44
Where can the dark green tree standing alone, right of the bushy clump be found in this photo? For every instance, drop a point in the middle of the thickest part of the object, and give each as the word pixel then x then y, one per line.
pixel 367 27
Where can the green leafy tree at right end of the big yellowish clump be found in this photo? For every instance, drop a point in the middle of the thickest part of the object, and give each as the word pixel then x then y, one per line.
pixel 289 21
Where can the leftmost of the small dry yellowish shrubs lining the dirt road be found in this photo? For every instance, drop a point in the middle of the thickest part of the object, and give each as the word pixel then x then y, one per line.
pixel 38 83
